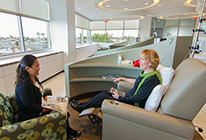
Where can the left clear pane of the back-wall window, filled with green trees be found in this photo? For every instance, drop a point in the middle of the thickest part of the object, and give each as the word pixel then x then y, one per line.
pixel 98 35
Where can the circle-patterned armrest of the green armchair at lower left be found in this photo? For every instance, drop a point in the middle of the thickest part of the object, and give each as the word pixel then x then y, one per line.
pixel 50 125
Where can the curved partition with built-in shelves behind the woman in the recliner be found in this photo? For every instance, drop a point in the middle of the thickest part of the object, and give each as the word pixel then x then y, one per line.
pixel 86 75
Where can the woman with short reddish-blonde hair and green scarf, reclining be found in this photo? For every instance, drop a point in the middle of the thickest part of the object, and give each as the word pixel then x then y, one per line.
pixel 143 85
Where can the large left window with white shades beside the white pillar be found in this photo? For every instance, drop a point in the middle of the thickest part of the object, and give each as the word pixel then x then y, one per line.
pixel 24 25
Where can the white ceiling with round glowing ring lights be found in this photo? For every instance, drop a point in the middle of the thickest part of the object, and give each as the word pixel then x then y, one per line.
pixel 90 9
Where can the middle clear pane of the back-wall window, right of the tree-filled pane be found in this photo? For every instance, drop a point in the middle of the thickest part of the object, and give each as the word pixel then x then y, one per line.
pixel 114 35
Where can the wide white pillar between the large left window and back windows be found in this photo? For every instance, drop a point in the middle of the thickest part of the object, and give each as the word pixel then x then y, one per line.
pixel 63 28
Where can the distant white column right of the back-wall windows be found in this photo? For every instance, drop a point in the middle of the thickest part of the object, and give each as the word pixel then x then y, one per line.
pixel 145 27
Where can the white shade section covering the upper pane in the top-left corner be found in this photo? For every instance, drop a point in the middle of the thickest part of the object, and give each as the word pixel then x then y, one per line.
pixel 9 5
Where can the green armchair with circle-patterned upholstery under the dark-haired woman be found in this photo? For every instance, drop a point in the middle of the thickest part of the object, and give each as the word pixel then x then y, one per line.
pixel 51 126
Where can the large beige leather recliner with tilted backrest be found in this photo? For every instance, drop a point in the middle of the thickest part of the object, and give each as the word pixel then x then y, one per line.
pixel 172 121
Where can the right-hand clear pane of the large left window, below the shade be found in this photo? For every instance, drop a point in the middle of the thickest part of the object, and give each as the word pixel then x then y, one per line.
pixel 35 34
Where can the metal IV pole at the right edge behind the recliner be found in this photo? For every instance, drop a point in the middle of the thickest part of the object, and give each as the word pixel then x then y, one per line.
pixel 194 47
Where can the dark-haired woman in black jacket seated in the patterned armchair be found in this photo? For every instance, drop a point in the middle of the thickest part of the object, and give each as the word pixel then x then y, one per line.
pixel 29 97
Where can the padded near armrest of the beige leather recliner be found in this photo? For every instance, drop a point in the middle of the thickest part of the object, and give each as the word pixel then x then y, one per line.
pixel 145 120
